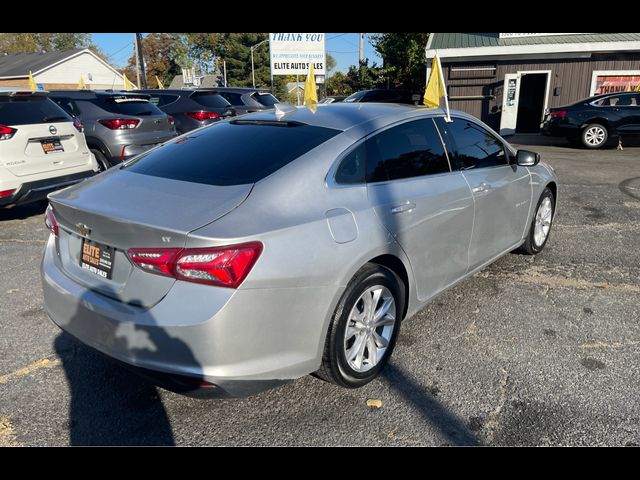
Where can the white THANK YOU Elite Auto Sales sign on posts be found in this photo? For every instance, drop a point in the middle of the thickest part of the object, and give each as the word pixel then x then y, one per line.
pixel 291 53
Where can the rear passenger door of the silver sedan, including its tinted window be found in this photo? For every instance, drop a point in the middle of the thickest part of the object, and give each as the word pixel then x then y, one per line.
pixel 425 205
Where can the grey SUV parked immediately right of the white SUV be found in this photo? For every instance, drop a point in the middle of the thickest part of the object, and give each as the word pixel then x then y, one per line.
pixel 117 125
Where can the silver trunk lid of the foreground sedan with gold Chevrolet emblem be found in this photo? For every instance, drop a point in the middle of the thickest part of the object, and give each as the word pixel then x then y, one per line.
pixel 122 210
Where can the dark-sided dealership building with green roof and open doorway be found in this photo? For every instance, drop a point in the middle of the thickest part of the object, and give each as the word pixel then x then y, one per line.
pixel 509 80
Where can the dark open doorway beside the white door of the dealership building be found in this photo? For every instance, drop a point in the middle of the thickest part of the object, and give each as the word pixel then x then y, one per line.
pixel 531 102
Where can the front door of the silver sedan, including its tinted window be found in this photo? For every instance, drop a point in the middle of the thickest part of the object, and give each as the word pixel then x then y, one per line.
pixel 501 189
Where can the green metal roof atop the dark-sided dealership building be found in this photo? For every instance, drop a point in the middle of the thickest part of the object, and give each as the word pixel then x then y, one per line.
pixel 471 40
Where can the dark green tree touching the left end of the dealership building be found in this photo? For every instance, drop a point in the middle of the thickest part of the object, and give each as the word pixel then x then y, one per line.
pixel 404 58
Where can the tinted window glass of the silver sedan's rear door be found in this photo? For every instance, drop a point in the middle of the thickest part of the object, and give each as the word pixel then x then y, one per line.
pixel 412 149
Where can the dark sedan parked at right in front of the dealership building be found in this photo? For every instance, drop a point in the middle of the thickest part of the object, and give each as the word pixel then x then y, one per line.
pixel 596 121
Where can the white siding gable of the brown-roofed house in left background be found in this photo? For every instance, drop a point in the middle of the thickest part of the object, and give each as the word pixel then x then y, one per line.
pixel 85 64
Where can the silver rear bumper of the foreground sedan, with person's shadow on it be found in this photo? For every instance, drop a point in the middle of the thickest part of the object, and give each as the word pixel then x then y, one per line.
pixel 241 341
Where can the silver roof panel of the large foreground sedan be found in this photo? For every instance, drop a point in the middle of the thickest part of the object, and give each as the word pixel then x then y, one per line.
pixel 342 116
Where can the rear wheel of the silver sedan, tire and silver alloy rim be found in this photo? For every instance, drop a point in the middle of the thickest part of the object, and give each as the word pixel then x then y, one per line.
pixel 364 328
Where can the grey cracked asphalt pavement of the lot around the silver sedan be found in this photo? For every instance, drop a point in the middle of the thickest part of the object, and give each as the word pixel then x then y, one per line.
pixel 537 350
